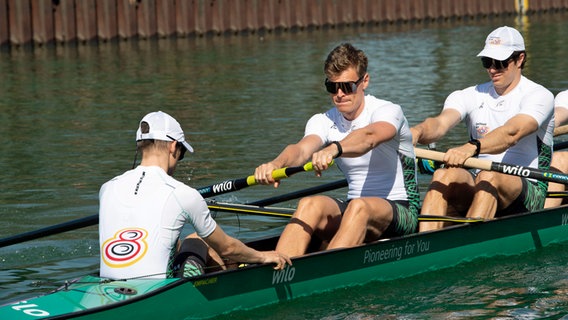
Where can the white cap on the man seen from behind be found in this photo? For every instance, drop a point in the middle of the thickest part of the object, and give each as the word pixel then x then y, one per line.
pixel 162 127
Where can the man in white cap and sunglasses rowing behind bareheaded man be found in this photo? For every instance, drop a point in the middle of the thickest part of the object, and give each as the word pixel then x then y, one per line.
pixel 509 119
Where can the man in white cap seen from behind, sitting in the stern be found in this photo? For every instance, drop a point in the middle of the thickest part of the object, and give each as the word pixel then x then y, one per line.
pixel 142 213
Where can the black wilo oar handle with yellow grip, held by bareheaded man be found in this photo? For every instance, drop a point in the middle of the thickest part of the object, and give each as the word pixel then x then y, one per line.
pixel 238 184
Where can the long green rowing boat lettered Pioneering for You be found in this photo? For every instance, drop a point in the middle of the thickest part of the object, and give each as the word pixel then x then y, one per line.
pixel 90 297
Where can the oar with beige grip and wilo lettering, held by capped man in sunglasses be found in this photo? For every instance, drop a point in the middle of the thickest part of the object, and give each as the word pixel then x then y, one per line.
pixel 505 168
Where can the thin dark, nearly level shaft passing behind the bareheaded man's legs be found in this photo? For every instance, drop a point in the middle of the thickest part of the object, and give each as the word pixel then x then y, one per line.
pixel 287 212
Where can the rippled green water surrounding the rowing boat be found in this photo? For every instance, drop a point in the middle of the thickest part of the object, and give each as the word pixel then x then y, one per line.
pixel 68 117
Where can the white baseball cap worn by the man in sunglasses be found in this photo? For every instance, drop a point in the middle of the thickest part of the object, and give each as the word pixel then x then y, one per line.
pixel 501 43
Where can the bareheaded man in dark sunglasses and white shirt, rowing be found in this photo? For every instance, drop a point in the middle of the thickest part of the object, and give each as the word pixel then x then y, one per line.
pixel 370 140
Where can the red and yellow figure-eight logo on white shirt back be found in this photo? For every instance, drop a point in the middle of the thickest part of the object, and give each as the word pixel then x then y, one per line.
pixel 126 248
